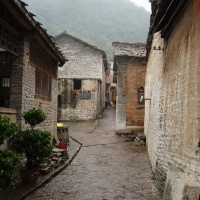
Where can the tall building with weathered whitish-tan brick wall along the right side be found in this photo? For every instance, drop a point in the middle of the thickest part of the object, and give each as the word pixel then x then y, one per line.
pixel 172 119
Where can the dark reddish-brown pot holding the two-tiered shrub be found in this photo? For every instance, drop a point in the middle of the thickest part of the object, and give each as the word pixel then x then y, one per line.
pixel 29 175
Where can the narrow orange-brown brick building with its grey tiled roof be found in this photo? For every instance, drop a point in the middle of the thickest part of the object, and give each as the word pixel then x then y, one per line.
pixel 129 73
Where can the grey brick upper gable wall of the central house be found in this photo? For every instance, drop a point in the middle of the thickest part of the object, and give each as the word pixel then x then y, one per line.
pixel 84 61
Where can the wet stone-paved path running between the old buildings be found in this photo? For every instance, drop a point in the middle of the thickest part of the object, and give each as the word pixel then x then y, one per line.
pixel 107 167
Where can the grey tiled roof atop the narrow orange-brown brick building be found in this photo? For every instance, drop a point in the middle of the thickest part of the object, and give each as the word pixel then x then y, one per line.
pixel 129 49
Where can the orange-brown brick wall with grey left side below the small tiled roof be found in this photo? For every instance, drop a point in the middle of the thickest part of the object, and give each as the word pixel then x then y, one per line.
pixel 130 76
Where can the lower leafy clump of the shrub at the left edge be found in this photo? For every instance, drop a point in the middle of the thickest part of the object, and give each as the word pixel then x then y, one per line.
pixel 9 170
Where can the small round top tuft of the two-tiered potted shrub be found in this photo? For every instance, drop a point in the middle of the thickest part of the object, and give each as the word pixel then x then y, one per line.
pixel 34 116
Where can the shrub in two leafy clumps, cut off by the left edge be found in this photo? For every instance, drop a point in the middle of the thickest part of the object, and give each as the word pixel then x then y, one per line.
pixel 9 160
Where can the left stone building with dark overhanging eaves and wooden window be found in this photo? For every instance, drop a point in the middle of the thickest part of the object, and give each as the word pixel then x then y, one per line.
pixel 28 65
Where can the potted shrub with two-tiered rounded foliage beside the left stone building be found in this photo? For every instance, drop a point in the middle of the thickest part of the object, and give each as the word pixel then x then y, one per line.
pixel 34 144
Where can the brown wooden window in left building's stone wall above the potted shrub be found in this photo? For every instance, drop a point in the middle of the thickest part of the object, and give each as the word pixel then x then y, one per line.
pixel 42 85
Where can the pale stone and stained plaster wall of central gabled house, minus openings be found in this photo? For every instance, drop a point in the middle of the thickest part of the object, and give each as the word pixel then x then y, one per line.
pixel 86 64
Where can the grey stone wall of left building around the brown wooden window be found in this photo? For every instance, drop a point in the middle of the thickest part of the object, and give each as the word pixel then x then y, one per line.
pixel 23 94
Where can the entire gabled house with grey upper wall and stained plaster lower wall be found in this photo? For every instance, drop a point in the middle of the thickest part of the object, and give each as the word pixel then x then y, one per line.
pixel 81 80
